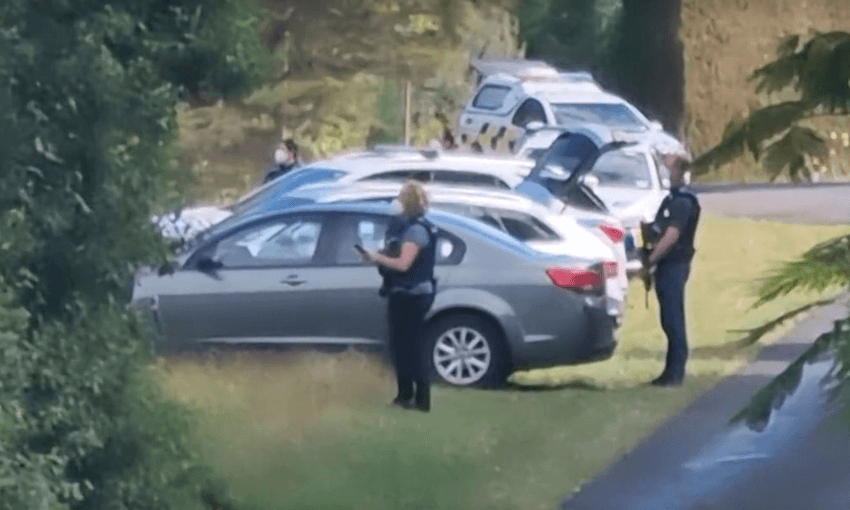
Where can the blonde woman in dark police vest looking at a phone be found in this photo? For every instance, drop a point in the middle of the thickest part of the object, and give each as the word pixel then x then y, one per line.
pixel 407 266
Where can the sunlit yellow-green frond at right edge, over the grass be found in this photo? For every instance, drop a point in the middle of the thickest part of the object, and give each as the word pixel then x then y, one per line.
pixel 821 267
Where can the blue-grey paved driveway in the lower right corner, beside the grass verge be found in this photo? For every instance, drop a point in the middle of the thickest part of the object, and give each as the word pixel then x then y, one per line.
pixel 697 461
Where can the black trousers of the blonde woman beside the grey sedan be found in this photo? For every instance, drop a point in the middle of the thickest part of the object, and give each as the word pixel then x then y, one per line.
pixel 407 318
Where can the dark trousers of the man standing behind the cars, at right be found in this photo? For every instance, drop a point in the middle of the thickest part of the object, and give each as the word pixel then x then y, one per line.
pixel 670 280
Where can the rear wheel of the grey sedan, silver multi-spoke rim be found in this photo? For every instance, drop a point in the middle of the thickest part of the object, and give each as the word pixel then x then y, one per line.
pixel 465 350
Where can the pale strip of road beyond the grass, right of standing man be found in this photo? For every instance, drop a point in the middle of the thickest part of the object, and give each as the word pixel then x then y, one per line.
pixel 813 204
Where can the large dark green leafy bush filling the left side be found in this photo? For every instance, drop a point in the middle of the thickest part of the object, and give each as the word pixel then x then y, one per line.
pixel 87 98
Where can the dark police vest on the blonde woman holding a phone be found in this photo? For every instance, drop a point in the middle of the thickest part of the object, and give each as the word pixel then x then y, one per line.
pixel 422 269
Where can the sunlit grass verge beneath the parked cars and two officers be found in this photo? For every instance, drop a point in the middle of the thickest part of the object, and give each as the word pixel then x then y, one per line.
pixel 313 430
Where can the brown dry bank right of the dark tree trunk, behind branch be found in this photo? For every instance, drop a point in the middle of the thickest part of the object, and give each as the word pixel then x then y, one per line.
pixel 725 41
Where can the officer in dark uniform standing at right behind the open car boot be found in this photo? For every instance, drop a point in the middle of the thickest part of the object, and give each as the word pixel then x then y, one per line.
pixel 670 259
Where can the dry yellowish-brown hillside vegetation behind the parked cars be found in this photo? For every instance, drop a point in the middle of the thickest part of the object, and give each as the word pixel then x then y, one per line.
pixel 341 68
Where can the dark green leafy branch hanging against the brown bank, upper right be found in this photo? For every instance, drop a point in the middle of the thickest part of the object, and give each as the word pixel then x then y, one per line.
pixel 819 74
